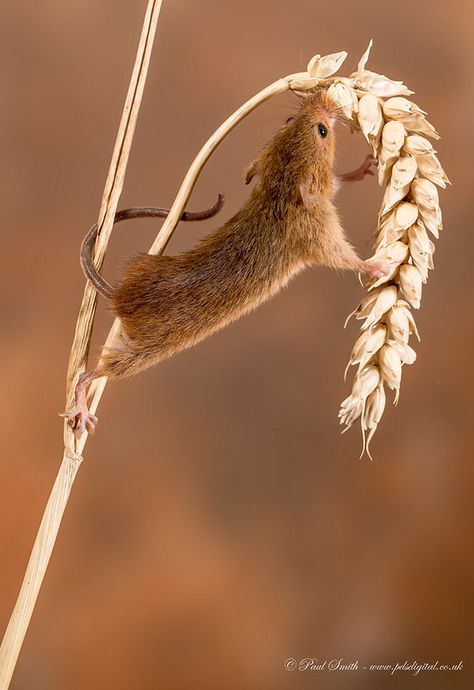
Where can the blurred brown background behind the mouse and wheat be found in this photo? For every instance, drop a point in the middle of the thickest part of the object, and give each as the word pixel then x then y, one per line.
pixel 220 523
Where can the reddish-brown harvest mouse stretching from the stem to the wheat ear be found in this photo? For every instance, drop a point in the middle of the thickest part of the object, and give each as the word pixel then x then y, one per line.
pixel 168 303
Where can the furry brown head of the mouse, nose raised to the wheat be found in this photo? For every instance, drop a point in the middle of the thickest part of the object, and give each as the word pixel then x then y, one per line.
pixel 299 160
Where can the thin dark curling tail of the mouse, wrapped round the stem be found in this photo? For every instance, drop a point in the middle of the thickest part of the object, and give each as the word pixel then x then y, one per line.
pixel 88 246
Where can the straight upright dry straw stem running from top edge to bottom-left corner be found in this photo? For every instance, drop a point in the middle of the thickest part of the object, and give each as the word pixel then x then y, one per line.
pixel 57 502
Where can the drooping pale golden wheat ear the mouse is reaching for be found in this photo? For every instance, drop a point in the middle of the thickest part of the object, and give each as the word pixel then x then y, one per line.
pixel 407 163
